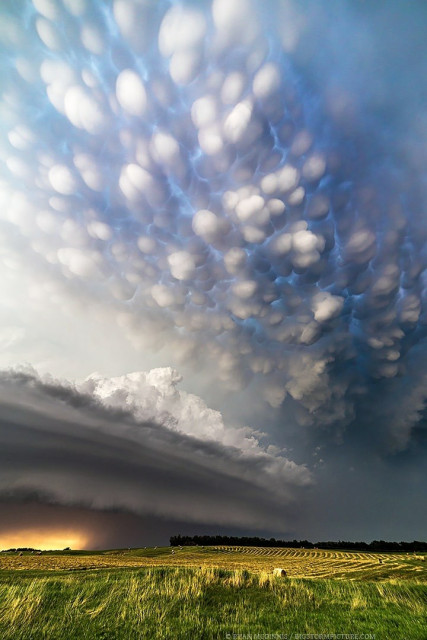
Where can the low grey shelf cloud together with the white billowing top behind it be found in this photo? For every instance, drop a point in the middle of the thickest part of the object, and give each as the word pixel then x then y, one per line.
pixel 138 445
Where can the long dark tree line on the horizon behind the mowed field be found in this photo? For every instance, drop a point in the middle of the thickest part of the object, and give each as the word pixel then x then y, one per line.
pixel 246 541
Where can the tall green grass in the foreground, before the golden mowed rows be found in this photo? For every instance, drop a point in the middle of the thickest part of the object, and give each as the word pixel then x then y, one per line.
pixel 174 603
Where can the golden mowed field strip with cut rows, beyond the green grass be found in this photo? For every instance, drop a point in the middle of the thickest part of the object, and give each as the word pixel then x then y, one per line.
pixel 298 563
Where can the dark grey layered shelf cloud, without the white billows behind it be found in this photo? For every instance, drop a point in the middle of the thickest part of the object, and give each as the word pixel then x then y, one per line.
pixel 65 447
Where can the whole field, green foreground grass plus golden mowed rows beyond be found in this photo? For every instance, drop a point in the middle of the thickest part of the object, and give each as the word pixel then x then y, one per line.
pixel 212 593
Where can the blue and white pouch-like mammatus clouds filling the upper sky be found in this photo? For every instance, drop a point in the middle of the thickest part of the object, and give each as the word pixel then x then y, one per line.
pixel 207 177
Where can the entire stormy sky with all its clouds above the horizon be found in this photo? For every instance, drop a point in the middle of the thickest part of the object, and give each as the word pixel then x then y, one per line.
pixel 213 270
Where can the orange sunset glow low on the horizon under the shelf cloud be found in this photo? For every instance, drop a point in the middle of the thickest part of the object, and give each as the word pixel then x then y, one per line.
pixel 44 540
